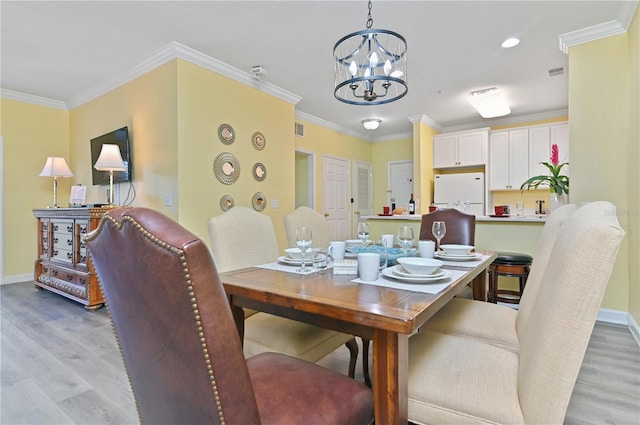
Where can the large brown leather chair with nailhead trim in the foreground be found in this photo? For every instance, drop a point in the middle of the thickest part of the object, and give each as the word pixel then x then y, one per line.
pixel 180 344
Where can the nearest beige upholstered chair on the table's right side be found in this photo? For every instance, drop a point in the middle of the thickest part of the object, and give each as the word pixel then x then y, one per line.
pixel 456 379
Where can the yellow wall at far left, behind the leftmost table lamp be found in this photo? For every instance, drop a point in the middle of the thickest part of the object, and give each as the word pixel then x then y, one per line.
pixel 31 133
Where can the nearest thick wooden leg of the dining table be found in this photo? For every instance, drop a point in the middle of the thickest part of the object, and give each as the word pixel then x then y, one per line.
pixel 390 380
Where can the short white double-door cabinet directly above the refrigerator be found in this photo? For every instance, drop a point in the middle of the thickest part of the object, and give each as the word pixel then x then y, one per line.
pixel 460 149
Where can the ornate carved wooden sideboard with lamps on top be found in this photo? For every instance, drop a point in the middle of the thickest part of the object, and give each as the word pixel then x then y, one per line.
pixel 63 265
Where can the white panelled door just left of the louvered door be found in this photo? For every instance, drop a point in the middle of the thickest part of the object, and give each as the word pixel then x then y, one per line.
pixel 336 196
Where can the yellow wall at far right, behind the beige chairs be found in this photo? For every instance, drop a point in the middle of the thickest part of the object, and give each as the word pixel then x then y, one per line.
pixel 600 142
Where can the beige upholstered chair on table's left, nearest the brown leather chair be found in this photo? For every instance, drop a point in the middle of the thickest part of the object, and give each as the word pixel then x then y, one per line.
pixel 242 237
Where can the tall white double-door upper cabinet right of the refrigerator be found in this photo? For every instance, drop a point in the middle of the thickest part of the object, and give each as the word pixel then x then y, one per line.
pixel 508 159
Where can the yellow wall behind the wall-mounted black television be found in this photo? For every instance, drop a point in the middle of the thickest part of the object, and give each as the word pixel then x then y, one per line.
pixel 147 105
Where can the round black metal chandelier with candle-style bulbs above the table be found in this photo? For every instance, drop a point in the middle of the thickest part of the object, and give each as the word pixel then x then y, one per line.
pixel 370 66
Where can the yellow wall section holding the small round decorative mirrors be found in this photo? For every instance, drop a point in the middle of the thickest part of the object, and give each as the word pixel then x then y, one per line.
pixel 206 100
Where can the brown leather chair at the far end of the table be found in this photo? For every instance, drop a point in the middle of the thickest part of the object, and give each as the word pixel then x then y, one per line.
pixel 461 227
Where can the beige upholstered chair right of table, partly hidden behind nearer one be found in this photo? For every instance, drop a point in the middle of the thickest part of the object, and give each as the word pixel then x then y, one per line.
pixel 496 324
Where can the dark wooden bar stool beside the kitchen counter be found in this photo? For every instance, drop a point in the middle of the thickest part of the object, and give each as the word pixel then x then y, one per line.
pixel 512 264
